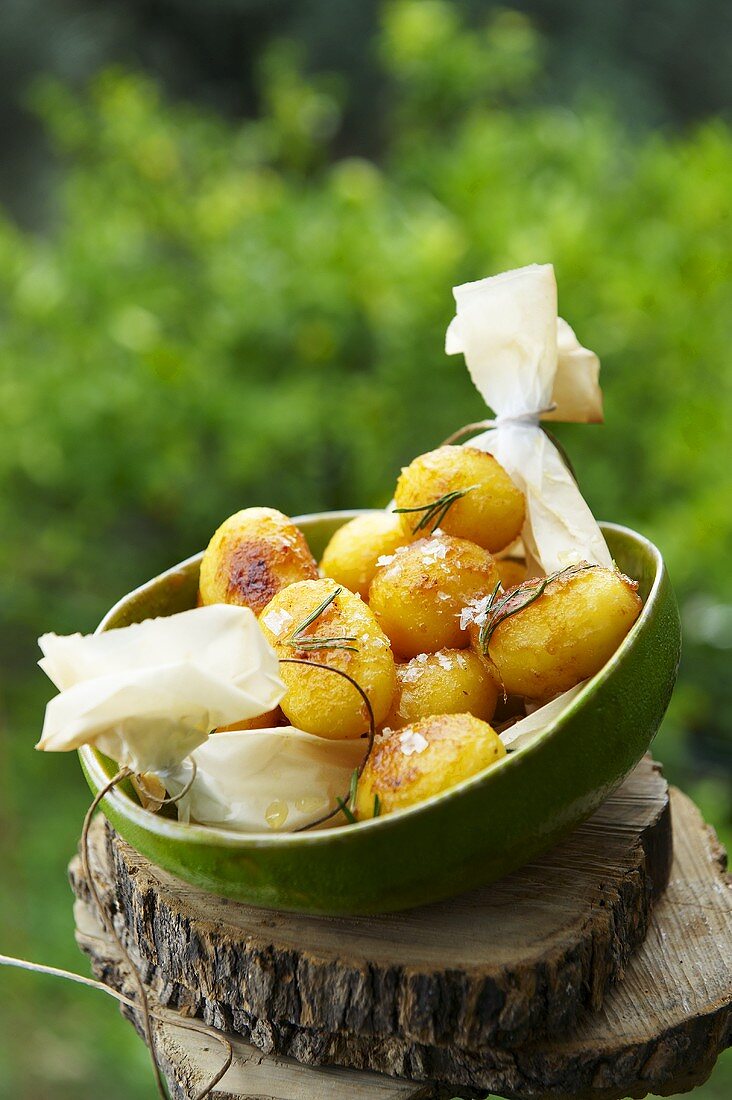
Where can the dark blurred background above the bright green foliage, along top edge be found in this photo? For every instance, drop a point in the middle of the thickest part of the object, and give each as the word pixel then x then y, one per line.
pixel 663 61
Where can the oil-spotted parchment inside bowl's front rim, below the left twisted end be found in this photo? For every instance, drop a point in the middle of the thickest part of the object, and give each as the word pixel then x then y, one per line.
pixel 265 780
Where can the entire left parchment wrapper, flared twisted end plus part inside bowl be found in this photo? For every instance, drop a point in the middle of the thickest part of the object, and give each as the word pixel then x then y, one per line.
pixel 149 696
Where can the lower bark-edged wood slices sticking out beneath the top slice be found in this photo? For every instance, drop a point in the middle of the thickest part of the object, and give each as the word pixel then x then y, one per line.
pixel 659 1031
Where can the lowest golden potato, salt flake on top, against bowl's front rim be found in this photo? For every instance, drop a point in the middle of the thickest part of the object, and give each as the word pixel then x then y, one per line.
pixel 410 765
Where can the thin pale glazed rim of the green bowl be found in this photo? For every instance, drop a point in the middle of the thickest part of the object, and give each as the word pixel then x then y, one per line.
pixel 177 831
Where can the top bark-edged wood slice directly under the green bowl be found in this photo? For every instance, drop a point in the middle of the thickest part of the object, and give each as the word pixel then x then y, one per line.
pixel 519 959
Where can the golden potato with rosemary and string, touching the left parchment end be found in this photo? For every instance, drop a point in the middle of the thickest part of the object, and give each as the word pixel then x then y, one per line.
pixel 318 701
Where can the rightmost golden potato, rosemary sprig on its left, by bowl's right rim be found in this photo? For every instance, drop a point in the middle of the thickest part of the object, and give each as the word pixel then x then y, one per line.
pixel 566 635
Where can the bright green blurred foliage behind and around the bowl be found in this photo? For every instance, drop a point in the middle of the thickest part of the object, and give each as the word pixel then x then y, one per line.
pixel 228 315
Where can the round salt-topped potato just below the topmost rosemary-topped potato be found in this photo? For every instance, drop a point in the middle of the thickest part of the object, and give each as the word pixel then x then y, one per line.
pixel 419 597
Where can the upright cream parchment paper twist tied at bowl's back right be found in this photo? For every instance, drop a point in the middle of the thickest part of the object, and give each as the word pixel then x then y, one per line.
pixel 525 359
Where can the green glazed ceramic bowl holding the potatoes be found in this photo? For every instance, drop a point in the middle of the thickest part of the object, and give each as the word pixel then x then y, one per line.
pixel 473 834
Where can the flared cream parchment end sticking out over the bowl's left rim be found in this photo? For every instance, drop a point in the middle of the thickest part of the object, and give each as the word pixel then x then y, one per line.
pixel 148 695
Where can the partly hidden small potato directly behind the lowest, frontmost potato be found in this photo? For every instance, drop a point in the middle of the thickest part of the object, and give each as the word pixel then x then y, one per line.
pixel 452 681
